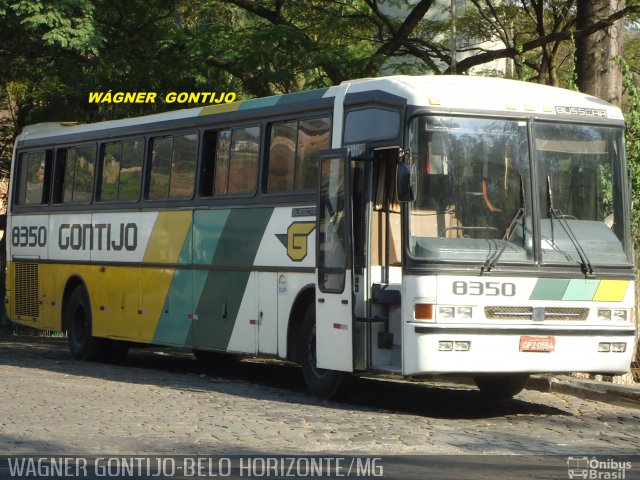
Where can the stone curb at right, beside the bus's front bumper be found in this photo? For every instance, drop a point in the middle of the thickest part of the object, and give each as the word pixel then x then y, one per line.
pixel 622 395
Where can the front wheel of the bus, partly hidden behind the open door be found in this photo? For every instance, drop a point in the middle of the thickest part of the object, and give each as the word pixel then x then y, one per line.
pixel 327 384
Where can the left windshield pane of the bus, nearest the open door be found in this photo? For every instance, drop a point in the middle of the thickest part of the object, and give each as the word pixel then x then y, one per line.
pixel 473 178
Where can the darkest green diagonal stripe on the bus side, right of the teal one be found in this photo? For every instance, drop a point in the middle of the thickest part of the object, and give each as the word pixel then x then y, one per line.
pixel 222 293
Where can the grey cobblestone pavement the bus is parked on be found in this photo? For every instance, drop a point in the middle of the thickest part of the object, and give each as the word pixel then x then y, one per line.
pixel 165 402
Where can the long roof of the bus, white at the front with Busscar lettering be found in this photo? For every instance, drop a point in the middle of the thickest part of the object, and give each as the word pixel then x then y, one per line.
pixel 435 92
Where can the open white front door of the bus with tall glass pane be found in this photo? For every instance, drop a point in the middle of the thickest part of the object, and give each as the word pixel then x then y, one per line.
pixel 334 298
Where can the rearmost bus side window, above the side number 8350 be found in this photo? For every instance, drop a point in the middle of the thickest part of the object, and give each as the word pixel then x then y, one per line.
pixel 32 184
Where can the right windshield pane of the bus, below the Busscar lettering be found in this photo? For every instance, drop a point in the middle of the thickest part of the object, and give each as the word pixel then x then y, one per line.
pixel 580 179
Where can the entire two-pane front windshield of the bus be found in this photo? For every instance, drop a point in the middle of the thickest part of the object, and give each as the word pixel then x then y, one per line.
pixel 474 191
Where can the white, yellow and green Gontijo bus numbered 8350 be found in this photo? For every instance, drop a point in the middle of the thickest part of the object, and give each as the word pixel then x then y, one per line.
pixel 405 225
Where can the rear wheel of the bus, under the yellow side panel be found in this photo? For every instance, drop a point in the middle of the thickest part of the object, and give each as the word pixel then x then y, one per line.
pixel 83 345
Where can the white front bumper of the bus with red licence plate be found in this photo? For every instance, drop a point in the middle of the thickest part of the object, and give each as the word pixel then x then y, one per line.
pixel 437 348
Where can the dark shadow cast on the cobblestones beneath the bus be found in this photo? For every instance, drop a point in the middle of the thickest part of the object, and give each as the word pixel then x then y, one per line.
pixel 273 380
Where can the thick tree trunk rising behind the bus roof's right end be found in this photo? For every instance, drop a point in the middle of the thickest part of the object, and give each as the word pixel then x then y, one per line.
pixel 597 73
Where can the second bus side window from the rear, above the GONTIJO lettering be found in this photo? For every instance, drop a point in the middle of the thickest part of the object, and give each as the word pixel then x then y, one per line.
pixel 78 173
